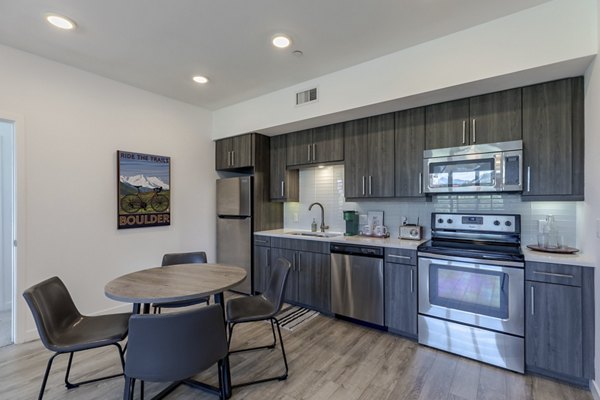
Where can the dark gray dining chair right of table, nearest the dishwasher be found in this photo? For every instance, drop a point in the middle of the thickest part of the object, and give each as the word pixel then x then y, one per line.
pixel 263 307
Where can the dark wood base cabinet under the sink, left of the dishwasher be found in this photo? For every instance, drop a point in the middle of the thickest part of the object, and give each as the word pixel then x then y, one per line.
pixel 309 280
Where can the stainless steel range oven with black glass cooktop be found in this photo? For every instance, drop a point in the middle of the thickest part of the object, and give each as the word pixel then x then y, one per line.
pixel 471 288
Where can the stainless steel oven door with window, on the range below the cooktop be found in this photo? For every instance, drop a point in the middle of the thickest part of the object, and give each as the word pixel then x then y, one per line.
pixel 487 294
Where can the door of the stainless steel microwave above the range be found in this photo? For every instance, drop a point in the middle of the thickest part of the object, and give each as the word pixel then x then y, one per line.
pixel 469 173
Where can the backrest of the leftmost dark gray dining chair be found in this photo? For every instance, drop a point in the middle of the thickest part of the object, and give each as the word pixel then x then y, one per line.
pixel 53 310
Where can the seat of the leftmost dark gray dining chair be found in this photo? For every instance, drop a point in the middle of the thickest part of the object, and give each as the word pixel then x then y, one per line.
pixel 90 332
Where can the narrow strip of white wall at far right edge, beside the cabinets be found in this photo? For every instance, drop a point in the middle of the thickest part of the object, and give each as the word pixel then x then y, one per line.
pixel 592 187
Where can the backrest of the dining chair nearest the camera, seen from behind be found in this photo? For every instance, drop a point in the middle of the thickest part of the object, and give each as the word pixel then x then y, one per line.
pixel 175 346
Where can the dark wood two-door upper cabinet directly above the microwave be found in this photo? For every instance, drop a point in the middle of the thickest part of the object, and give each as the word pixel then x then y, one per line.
pixel 489 118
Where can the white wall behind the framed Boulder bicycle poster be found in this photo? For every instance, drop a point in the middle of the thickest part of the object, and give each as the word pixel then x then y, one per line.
pixel 73 124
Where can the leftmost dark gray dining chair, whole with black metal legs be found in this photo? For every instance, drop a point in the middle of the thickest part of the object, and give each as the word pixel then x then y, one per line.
pixel 63 329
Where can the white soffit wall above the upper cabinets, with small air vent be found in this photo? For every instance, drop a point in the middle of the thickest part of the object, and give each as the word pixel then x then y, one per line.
pixel 547 35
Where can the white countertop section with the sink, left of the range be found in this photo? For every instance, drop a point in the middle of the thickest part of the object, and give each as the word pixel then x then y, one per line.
pixel 382 242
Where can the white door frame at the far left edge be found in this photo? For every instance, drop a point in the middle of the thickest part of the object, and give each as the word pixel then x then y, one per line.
pixel 19 255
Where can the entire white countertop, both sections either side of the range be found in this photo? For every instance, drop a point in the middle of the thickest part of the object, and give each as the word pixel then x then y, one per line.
pixel 581 259
